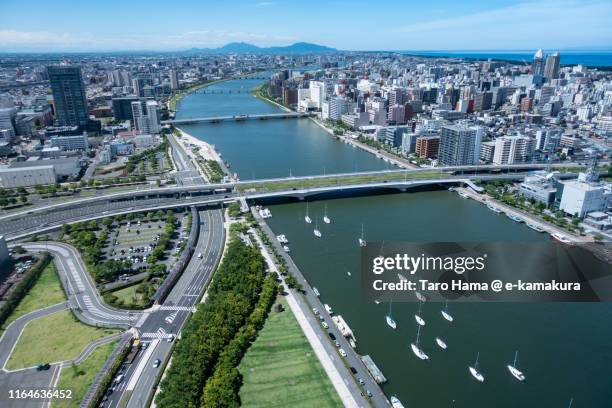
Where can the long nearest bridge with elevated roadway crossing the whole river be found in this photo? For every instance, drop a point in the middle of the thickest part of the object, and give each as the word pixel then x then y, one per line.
pixel 38 220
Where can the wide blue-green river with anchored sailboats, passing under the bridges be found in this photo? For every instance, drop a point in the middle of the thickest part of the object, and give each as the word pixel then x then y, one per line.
pixel 565 350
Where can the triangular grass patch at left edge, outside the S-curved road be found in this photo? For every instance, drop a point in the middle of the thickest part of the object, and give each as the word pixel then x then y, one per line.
pixel 46 291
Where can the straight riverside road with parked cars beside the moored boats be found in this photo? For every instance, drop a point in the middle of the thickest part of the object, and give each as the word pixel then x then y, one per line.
pixel 378 398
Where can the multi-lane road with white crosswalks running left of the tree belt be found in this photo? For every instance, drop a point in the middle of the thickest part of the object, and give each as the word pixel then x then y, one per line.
pixel 169 318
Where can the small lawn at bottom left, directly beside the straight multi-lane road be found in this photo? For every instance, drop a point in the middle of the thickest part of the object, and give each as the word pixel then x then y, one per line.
pixel 78 378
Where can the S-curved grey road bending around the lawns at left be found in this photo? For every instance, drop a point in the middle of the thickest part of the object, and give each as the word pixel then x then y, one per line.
pixel 83 297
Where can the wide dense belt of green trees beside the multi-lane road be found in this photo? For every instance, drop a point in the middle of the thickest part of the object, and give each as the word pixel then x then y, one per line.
pixel 232 297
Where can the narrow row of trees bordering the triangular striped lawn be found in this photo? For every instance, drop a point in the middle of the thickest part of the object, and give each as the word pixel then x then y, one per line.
pixel 222 388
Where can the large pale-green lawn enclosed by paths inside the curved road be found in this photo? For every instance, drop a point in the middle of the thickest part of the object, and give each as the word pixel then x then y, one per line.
pixel 56 337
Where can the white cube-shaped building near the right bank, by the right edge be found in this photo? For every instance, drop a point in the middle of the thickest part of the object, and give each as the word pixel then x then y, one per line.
pixel 579 198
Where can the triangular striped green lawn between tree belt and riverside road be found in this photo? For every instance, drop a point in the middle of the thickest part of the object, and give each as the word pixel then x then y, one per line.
pixel 281 369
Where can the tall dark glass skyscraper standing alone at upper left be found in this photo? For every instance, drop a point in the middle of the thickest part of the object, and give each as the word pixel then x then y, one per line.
pixel 68 95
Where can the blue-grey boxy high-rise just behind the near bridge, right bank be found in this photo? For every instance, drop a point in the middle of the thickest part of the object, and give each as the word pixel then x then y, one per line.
pixel 460 145
